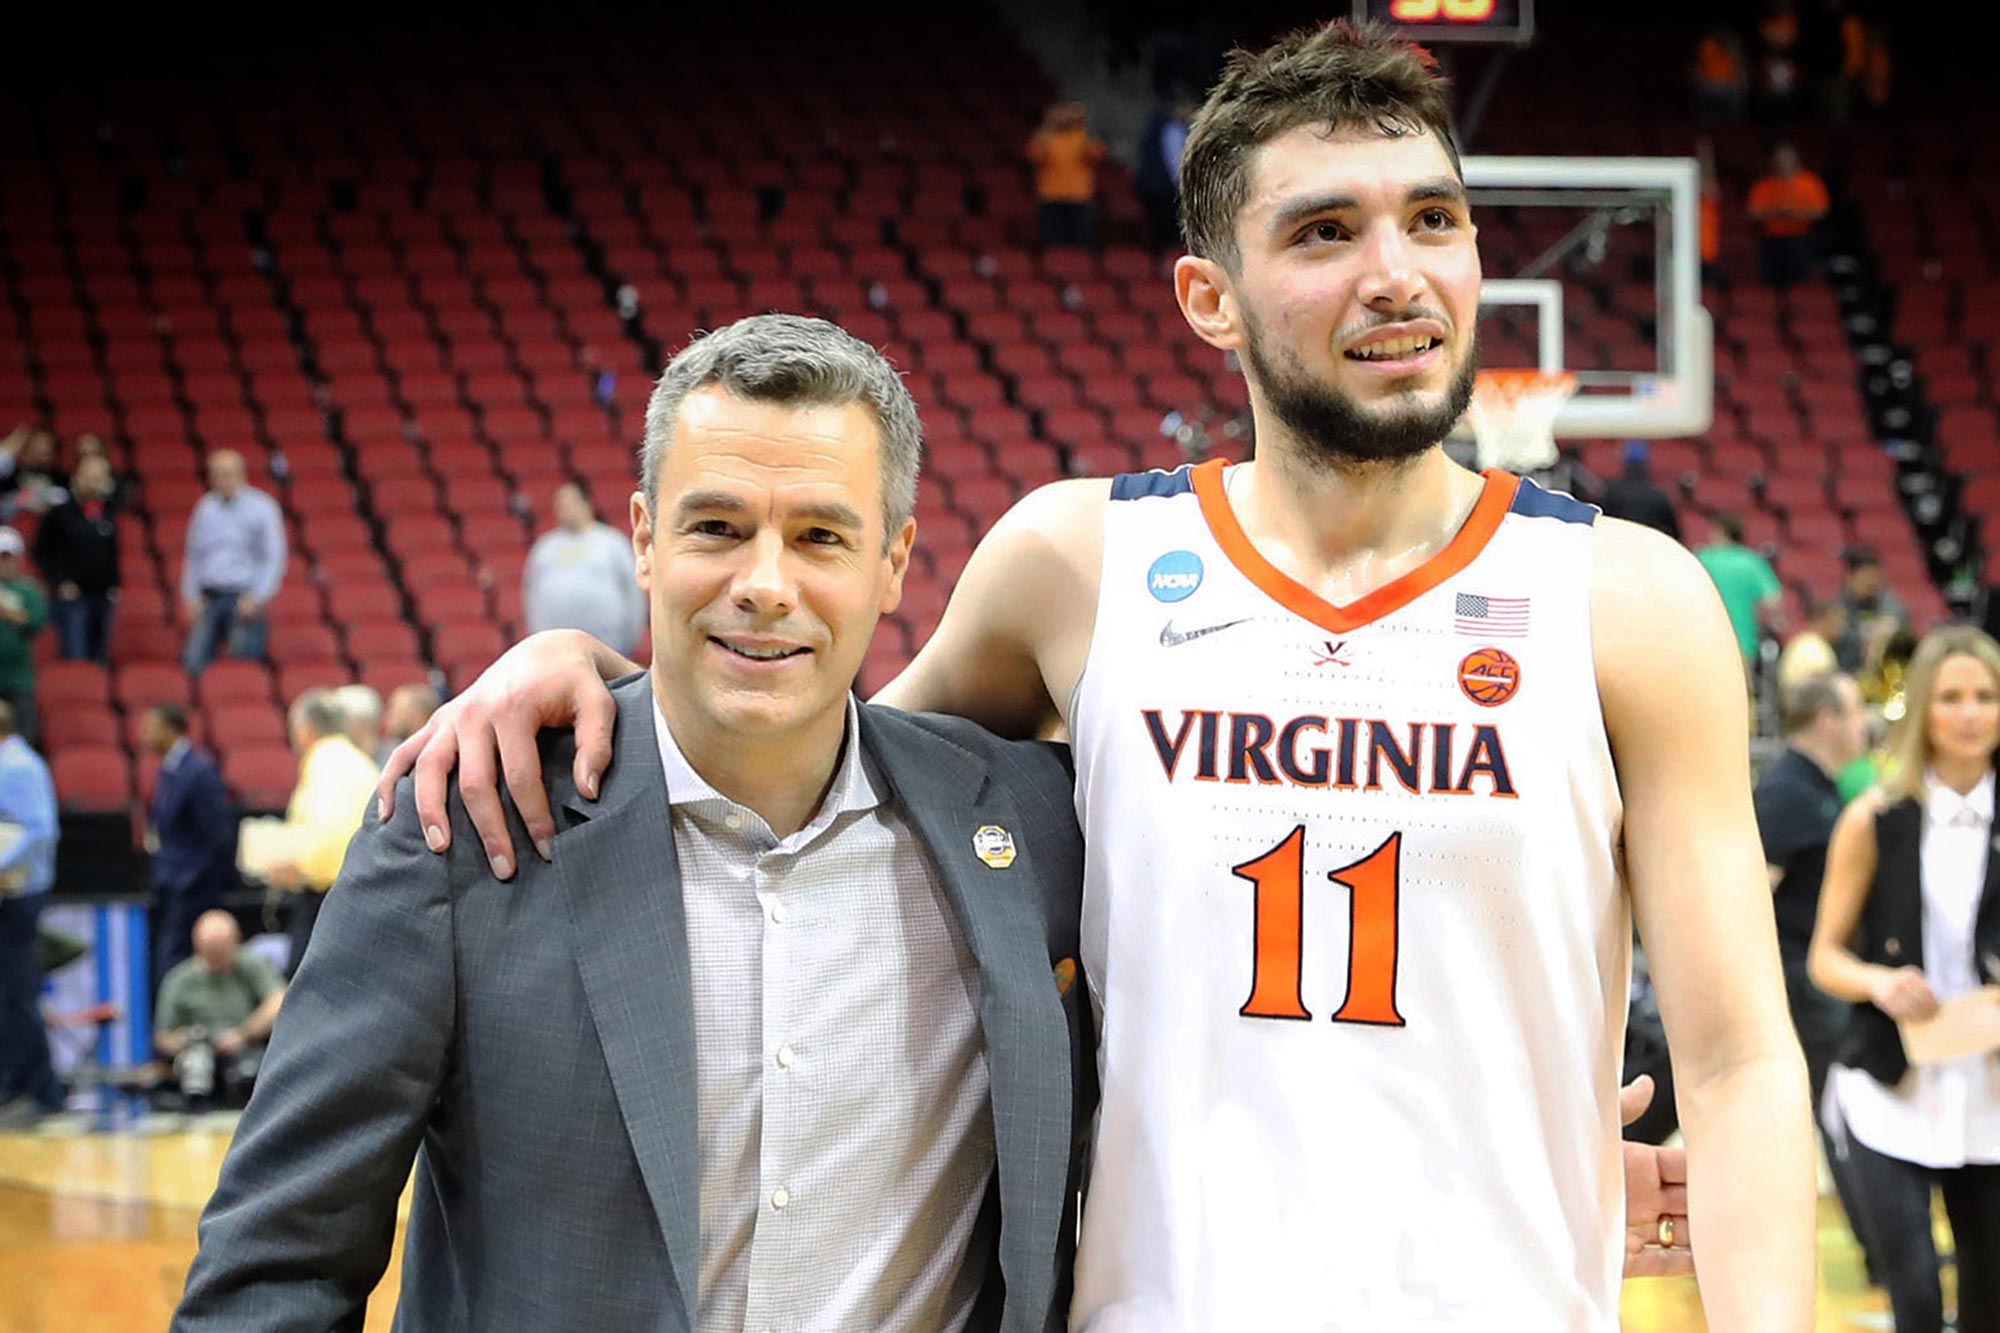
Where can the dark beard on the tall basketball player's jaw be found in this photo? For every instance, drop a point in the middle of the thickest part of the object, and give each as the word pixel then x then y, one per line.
pixel 1339 433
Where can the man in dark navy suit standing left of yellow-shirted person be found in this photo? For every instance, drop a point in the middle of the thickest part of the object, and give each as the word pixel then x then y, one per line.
pixel 191 832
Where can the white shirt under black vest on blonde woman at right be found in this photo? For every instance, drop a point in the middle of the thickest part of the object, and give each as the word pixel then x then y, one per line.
pixel 1941 1116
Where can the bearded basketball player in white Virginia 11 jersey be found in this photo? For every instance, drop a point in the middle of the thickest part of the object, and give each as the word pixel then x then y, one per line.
pixel 1377 762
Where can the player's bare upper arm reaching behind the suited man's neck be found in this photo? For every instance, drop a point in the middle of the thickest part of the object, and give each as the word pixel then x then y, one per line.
pixel 1017 631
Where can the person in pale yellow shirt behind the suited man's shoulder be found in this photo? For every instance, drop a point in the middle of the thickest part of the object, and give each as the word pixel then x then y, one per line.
pixel 335 784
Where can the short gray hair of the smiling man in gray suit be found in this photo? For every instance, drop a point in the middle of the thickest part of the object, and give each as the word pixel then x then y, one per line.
pixel 793 361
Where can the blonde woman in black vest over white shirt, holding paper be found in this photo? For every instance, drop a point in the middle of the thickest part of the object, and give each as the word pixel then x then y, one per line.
pixel 1911 922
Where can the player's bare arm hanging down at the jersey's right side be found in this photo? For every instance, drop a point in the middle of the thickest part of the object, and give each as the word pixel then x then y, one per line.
pixel 1679 728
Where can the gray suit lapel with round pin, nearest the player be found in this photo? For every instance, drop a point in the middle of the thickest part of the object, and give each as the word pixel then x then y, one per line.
pixel 945 794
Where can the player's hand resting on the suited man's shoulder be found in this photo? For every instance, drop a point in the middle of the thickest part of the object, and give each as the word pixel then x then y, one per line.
pixel 489 732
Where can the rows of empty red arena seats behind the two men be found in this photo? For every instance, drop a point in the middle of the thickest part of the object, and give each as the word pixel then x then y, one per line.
pixel 421 305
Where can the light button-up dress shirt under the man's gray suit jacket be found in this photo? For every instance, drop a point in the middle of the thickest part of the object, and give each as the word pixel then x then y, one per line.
pixel 845 1102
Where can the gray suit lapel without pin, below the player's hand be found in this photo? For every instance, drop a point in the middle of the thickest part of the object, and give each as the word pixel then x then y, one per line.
pixel 629 930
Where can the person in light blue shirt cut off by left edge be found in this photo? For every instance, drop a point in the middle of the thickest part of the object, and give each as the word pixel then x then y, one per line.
pixel 29 1086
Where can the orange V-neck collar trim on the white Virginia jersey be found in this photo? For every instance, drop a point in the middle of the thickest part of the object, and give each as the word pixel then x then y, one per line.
pixel 1479 529
